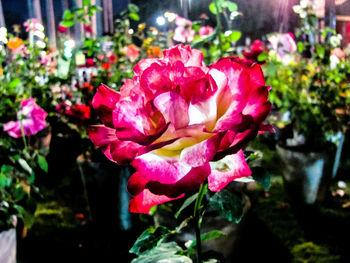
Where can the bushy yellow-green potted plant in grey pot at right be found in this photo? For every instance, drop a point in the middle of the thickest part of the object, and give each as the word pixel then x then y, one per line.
pixel 311 92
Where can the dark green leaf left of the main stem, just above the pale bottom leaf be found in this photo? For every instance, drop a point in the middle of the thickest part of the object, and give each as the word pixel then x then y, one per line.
pixel 149 239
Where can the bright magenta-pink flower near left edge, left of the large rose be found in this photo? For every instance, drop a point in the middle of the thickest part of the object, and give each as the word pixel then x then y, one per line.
pixel 31 117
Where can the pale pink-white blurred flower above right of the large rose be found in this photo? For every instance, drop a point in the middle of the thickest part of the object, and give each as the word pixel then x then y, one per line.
pixel 283 44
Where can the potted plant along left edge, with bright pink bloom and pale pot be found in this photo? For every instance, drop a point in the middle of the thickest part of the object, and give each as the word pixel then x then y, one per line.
pixel 22 155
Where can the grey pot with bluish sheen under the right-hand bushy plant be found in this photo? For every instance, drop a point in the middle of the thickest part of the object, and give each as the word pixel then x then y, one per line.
pixel 306 175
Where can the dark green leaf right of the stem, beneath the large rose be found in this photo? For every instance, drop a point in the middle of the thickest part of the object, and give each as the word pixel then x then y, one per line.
pixel 228 204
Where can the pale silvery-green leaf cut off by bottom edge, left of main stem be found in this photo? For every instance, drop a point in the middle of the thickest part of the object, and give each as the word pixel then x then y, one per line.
pixel 166 252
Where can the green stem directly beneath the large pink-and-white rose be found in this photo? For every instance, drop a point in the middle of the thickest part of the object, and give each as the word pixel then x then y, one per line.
pixel 198 220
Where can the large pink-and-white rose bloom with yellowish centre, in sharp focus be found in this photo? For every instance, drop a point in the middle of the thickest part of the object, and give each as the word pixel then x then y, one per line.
pixel 176 119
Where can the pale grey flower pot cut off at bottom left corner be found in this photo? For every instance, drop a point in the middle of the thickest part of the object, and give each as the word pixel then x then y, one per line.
pixel 8 246
